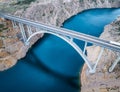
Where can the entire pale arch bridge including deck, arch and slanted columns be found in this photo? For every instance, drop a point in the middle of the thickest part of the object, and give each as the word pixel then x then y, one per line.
pixel 68 36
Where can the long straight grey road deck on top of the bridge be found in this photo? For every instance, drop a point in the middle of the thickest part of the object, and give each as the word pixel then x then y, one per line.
pixel 62 31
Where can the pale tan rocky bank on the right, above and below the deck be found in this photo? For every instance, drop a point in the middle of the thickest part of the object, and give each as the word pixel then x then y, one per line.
pixel 102 80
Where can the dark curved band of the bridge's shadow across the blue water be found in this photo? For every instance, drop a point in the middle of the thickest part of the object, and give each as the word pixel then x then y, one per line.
pixel 39 65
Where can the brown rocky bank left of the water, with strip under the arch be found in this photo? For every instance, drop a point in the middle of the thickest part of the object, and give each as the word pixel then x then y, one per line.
pixel 11 45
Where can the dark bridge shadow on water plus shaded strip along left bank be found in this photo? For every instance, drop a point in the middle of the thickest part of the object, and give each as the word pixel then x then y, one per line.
pixel 34 61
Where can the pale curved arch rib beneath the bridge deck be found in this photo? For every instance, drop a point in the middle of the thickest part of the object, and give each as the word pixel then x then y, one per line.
pixel 70 41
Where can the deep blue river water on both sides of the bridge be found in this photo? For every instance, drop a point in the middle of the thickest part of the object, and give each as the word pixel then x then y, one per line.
pixel 51 65
